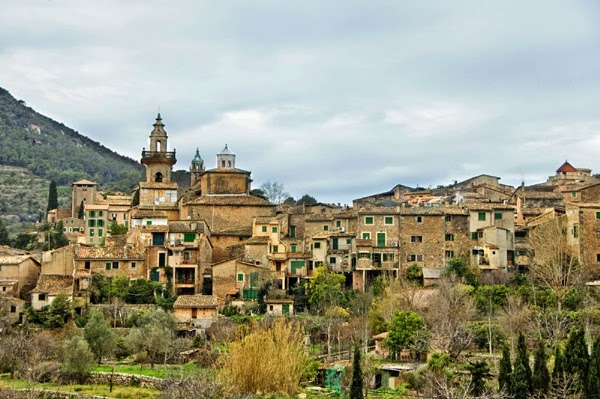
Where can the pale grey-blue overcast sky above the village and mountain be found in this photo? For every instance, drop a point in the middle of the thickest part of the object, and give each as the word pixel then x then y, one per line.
pixel 339 99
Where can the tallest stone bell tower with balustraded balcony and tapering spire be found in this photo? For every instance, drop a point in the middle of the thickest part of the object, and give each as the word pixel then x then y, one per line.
pixel 158 160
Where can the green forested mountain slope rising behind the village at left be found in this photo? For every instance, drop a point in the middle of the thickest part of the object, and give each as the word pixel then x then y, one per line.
pixel 35 149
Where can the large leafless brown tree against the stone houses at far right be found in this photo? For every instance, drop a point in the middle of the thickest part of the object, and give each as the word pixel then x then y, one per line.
pixel 554 261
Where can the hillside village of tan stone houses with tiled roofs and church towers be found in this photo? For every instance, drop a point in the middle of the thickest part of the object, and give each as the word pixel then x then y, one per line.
pixel 215 245
